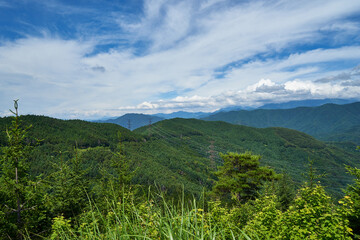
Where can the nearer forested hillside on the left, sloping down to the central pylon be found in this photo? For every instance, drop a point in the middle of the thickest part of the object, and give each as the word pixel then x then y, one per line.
pixel 155 161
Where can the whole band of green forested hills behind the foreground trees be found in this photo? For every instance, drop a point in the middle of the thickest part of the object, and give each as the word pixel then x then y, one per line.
pixel 181 152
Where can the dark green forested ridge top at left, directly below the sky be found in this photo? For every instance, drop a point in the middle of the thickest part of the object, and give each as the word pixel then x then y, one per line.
pixel 72 133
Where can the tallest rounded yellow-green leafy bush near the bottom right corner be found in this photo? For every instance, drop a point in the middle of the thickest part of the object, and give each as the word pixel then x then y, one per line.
pixel 313 216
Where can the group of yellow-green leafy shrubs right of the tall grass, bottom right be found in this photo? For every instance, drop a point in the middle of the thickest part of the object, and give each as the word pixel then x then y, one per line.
pixel 311 216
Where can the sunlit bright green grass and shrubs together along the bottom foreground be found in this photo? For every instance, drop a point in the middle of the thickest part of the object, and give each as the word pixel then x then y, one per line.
pixel 312 216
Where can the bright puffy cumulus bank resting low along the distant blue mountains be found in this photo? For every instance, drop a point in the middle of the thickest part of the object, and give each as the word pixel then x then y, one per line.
pixel 255 95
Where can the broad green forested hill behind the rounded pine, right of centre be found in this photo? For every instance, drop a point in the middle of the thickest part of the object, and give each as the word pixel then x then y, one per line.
pixel 285 150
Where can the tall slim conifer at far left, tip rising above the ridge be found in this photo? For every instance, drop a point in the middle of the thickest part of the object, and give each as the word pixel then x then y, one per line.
pixel 20 196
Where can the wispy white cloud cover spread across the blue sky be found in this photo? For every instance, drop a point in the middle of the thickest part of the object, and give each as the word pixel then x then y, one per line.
pixel 189 45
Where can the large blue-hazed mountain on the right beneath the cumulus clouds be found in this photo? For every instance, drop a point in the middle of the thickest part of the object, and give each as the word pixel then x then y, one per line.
pixel 326 122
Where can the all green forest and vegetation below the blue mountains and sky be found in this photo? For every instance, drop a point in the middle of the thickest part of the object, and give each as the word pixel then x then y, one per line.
pixel 176 179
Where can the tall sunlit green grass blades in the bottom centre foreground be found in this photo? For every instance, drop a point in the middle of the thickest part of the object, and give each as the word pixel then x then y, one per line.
pixel 154 218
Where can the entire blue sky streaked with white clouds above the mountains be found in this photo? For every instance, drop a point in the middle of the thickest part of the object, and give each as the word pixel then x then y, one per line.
pixel 89 59
